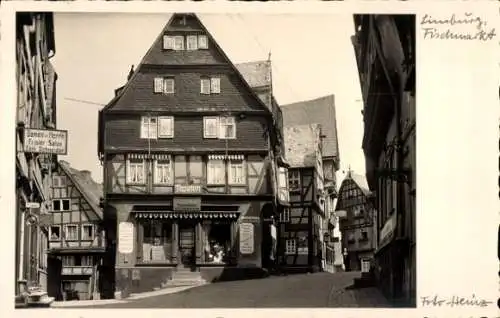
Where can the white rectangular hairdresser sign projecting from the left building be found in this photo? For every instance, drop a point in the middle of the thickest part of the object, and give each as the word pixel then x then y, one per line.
pixel 46 141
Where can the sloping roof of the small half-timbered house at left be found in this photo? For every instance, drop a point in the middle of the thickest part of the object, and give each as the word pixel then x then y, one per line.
pixel 88 188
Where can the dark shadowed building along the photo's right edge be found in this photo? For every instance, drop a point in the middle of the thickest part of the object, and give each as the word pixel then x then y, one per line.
pixel 385 51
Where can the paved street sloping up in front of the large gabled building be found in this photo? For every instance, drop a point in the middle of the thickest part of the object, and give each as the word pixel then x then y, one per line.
pixel 316 290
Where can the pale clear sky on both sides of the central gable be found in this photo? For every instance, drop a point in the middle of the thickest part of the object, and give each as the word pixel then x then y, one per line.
pixel 312 56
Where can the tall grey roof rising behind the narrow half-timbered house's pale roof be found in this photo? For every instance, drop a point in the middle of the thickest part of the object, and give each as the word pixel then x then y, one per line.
pixel 317 111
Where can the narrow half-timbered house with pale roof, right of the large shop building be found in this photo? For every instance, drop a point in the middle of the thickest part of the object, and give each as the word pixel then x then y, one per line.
pixel 301 229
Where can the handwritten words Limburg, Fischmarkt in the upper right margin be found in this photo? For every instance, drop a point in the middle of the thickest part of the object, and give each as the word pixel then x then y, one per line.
pixel 446 28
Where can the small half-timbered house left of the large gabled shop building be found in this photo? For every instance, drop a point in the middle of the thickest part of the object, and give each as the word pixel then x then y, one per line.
pixel 76 235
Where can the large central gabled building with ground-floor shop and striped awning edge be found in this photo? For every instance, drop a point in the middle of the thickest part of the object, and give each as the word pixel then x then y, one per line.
pixel 189 152
